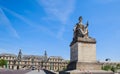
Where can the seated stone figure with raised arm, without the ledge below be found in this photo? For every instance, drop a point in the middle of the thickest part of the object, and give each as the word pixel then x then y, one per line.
pixel 80 30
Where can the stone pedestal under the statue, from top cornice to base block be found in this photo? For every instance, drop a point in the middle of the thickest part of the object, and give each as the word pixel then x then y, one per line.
pixel 83 54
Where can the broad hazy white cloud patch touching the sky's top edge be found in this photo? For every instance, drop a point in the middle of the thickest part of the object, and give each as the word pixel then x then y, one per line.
pixel 59 9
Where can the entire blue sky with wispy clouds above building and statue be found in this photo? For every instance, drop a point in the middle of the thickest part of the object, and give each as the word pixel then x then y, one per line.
pixel 38 25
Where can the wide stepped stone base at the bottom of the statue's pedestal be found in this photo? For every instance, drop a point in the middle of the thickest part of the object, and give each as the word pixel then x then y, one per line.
pixel 85 68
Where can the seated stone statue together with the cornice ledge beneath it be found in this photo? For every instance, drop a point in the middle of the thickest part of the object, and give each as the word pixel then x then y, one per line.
pixel 81 33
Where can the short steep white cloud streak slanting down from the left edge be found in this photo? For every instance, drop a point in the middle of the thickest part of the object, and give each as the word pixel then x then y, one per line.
pixel 5 21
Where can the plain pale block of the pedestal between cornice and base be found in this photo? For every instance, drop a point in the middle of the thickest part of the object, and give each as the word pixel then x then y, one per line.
pixel 83 52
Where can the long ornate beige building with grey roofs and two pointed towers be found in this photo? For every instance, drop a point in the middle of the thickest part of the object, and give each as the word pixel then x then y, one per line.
pixel 20 61
